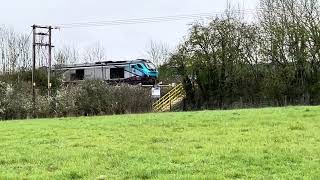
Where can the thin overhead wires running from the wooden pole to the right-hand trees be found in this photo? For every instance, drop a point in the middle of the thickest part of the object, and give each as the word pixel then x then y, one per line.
pixel 151 19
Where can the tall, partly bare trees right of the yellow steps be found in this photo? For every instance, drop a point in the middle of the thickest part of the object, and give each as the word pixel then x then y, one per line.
pixel 273 61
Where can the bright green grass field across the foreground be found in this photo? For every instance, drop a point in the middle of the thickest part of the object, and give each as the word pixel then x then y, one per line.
pixel 271 143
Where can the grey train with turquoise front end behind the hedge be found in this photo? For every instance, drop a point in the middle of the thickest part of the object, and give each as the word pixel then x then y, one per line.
pixel 139 71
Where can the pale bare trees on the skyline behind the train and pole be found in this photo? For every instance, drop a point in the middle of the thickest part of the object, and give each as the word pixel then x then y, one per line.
pixel 16 53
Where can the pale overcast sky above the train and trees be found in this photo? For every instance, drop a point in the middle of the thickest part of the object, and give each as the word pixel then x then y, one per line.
pixel 120 42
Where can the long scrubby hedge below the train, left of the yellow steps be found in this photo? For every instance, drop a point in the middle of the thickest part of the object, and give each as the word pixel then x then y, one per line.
pixel 83 99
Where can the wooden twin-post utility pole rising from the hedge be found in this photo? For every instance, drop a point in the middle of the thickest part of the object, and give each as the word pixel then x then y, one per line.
pixel 34 45
